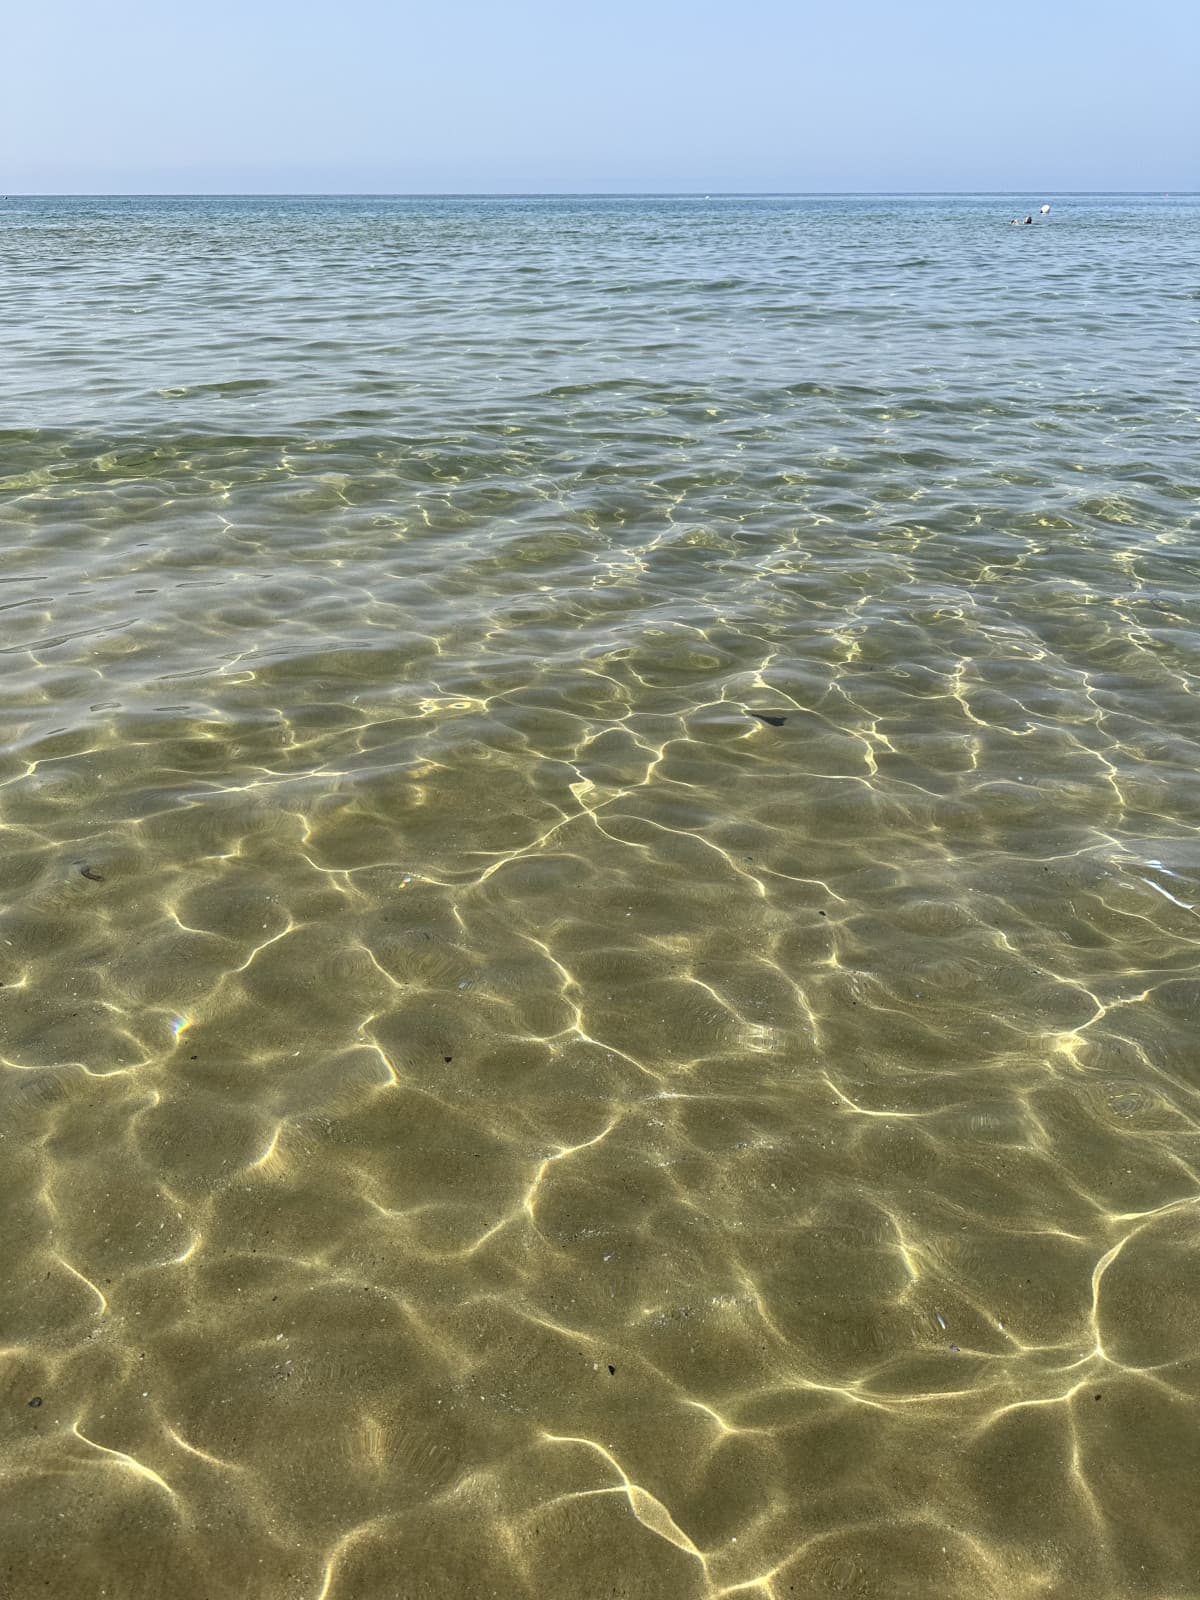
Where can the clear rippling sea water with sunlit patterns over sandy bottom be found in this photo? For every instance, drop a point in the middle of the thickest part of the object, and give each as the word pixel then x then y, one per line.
pixel 484 1114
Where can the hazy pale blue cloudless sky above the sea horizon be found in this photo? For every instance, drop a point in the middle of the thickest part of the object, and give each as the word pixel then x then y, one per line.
pixel 262 97
